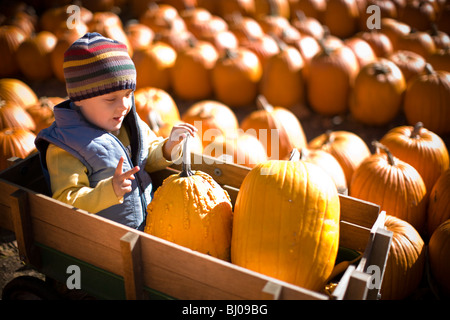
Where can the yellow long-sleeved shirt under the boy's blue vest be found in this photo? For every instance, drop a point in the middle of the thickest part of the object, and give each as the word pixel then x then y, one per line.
pixel 70 183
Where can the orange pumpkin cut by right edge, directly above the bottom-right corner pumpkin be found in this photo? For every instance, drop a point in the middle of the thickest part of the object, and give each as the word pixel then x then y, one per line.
pixel 439 202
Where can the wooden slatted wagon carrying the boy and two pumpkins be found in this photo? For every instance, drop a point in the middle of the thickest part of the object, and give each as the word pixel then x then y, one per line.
pixel 117 262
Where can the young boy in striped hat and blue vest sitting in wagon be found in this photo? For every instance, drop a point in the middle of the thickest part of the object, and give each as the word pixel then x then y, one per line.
pixel 98 152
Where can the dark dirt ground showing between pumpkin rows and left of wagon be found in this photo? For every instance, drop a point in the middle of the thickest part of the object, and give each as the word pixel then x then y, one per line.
pixel 10 264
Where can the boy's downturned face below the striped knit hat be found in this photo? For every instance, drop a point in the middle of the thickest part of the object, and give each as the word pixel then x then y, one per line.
pixel 107 111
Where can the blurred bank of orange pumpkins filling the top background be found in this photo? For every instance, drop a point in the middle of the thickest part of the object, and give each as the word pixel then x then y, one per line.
pixel 290 59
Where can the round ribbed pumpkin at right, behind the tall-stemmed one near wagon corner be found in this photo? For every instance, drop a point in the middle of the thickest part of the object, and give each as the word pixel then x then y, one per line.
pixel 421 148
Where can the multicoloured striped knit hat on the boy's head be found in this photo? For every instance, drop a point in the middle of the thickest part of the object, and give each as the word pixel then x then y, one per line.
pixel 95 65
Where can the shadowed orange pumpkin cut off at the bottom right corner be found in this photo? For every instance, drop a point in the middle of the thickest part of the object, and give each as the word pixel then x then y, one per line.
pixel 439 253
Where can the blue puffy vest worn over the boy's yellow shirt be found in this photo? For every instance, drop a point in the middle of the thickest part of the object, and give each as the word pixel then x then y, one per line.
pixel 100 152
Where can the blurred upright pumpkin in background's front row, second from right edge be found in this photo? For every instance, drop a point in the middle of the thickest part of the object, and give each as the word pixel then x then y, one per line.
pixel 377 95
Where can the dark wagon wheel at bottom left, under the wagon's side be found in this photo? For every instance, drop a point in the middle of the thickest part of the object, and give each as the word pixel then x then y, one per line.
pixel 28 288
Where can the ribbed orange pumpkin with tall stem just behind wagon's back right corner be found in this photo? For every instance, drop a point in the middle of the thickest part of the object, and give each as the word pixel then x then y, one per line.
pixel 392 184
